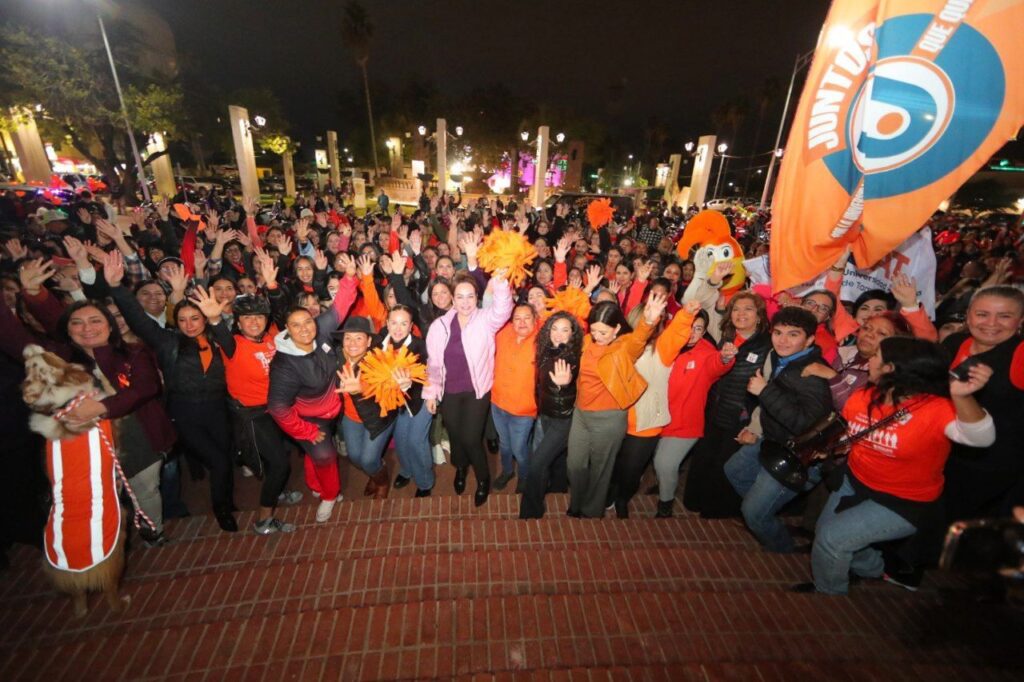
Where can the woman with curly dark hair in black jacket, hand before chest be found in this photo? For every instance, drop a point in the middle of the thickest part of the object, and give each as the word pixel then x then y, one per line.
pixel 560 346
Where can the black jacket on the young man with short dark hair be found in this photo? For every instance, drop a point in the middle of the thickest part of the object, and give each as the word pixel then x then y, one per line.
pixel 792 404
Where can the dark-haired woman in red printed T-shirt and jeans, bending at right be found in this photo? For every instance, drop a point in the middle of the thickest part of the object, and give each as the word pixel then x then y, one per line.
pixel 893 478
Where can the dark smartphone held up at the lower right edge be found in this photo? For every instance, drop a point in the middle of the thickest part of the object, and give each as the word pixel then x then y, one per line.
pixel 985 545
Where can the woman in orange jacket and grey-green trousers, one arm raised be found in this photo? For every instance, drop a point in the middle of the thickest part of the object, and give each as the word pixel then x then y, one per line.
pixel 609 386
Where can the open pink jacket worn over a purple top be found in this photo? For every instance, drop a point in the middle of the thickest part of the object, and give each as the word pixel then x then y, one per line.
pixel 478 344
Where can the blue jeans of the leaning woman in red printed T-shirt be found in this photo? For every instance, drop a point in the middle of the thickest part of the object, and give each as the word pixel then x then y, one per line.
pixel 843 542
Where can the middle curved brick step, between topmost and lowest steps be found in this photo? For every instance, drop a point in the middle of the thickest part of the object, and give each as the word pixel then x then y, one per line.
pixel 286 588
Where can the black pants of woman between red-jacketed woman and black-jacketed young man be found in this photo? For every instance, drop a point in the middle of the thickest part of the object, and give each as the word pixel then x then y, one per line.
pixel 708 491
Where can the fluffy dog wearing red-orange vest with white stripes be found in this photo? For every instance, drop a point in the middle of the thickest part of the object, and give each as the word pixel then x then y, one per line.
pixel 83 540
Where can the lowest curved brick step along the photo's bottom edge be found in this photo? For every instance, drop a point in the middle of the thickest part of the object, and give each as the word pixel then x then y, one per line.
pixel 445 640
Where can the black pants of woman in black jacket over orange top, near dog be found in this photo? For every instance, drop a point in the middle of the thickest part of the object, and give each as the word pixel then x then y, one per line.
pixel 205 432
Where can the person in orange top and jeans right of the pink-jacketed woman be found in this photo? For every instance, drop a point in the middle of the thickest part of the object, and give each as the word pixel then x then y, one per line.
pixel 514 401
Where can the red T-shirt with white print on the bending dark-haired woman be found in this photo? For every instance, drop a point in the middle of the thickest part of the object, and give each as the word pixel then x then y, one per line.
pixel 905 458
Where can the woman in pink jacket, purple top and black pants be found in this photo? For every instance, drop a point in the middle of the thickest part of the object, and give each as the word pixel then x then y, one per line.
pixel 461 372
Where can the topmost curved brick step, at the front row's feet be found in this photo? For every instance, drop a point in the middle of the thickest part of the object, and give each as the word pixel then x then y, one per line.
pixel 342 541
